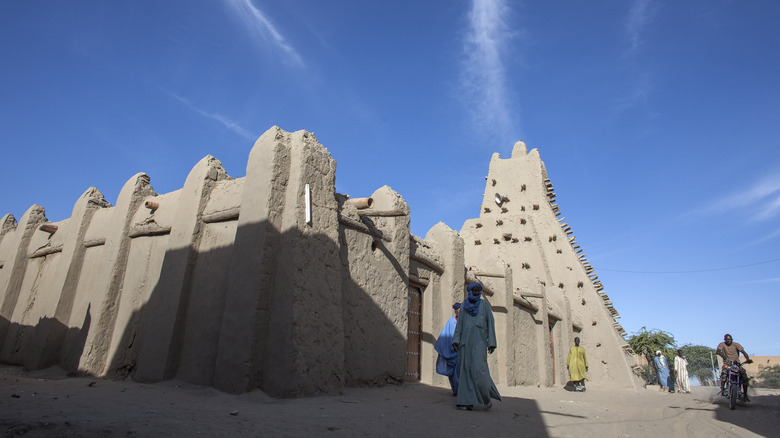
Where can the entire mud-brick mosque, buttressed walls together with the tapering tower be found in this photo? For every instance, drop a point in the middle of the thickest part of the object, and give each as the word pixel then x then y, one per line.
pixel 275 281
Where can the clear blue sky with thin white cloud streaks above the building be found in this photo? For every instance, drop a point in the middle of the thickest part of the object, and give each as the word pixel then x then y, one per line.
pixel 658 121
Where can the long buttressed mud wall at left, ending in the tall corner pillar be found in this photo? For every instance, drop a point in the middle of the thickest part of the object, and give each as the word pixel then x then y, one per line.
pixel 225 282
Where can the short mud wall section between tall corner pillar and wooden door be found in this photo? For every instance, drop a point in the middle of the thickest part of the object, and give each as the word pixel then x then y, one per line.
pixel 374 247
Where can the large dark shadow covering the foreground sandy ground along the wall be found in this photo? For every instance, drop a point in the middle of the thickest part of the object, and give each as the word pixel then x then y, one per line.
pixel 174 408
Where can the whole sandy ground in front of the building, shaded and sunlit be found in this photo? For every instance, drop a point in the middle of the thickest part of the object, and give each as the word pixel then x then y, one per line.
pixel 49 404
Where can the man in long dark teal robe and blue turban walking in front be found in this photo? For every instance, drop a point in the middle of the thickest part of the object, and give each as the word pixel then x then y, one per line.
pixel 474 337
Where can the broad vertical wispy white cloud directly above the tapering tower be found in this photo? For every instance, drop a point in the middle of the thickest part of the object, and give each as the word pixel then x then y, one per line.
pixel 483 79
